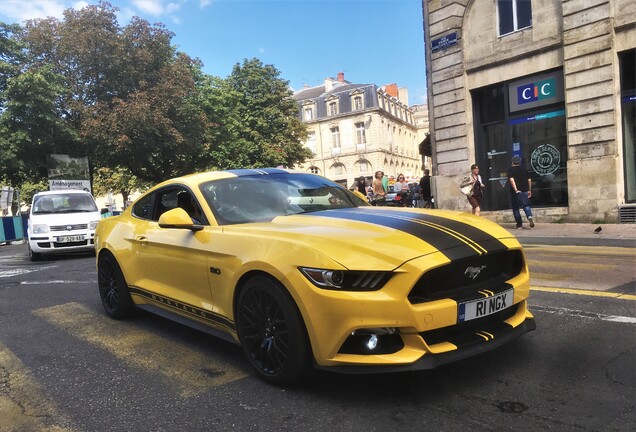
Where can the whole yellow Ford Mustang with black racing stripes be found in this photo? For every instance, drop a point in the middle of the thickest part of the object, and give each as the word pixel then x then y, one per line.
pixel 299 270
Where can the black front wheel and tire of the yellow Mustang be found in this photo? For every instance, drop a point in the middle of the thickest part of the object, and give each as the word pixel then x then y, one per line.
pixel 272 332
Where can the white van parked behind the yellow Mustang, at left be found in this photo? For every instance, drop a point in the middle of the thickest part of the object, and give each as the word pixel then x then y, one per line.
pixel 61 222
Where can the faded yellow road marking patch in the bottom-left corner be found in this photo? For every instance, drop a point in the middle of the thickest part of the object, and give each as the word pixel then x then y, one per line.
pixel 23 404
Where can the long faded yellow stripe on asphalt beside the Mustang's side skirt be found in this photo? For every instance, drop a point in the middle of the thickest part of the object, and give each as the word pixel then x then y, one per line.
pixel 191 372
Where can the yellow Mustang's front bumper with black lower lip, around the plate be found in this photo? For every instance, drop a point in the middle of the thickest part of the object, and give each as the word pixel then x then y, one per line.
pixel 430 331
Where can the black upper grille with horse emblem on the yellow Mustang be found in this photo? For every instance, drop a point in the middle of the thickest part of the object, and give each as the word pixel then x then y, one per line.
pixel 453 280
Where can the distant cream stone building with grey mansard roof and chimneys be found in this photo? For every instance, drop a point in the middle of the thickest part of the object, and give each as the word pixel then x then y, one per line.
pixel 357 129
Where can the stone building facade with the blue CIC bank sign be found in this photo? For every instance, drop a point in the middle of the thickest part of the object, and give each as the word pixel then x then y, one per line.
pixel 551 81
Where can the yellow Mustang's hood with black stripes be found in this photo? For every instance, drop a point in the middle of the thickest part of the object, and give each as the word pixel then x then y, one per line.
pixel 380 238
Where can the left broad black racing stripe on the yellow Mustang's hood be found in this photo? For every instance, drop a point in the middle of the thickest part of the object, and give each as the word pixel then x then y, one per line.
pixel 450 245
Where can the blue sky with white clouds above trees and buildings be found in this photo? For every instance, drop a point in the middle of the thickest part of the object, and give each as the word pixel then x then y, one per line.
pixel 371 41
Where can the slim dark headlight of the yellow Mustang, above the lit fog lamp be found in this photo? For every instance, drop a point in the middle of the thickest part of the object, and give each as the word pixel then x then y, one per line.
pixel 346 280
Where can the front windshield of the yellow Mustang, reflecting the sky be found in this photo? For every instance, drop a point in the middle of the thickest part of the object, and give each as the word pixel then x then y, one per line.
pixel 261 198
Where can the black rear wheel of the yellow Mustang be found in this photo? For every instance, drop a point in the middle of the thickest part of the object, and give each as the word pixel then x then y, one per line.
pixel 113 290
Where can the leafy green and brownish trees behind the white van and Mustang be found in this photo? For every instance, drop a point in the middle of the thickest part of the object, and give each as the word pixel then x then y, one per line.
pixel 138 108
